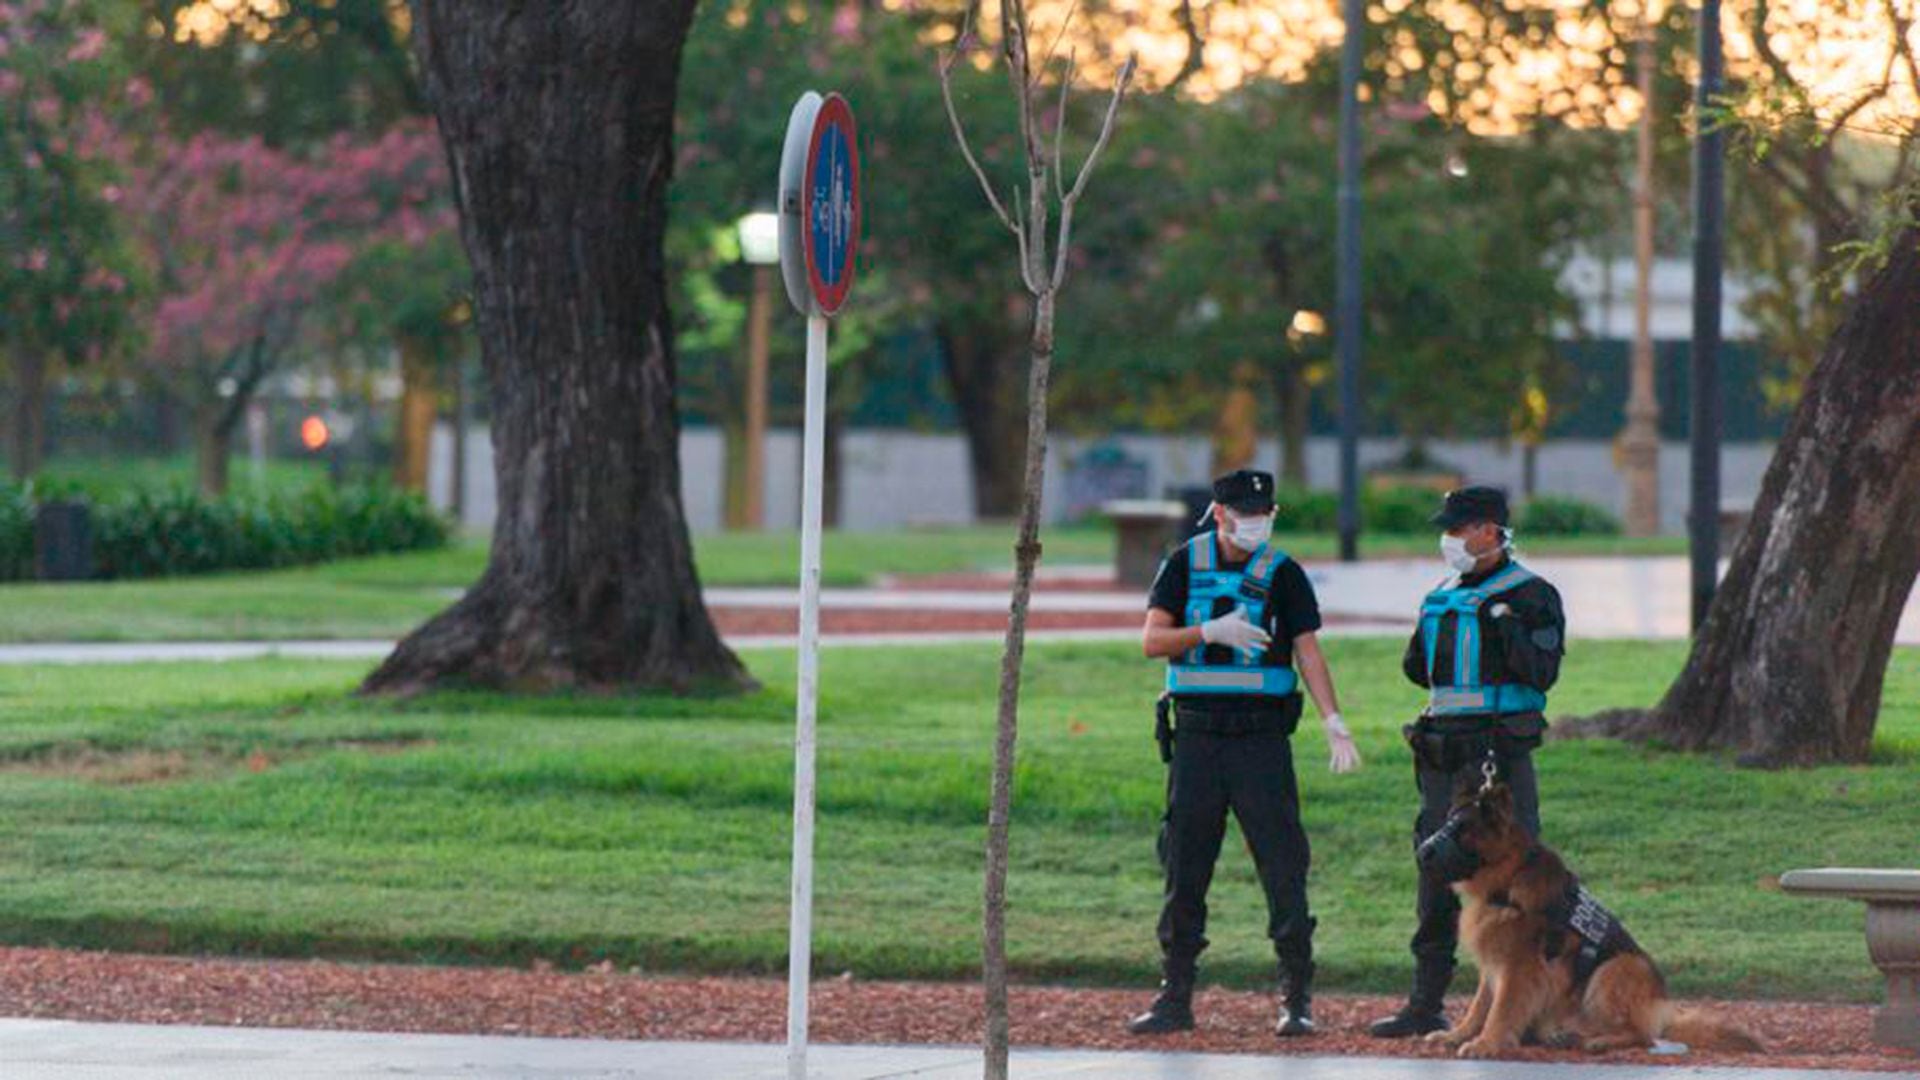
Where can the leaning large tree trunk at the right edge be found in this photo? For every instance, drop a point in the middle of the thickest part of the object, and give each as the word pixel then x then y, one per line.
pixel 1792 658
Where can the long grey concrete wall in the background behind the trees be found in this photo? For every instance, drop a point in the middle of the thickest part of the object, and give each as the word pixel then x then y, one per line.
pixel 898 479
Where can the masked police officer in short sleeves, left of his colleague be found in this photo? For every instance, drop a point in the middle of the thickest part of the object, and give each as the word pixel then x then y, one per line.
pixel 1236 620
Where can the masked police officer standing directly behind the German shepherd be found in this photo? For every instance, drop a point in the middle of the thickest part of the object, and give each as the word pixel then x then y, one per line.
pixel 1487 650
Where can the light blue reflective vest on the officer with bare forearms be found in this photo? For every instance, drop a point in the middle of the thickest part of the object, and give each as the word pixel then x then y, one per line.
pixel 1247 587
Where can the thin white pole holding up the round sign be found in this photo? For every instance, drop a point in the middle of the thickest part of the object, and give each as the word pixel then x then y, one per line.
pixel 813 476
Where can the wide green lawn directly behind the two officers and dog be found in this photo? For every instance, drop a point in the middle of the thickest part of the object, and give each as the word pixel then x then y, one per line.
pixel 256 808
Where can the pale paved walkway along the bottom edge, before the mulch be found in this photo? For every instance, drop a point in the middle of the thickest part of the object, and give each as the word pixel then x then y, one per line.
pixel 60 1050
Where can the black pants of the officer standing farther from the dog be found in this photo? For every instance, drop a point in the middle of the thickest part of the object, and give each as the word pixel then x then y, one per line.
pixel 1253 775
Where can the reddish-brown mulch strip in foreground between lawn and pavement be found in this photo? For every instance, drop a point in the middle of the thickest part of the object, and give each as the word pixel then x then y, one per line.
pixel 602 1004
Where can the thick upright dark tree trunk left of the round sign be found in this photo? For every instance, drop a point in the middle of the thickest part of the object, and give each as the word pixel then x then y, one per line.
pixel 560 134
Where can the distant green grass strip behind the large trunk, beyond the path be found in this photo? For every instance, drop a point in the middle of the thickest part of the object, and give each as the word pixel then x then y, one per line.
pixel 389 595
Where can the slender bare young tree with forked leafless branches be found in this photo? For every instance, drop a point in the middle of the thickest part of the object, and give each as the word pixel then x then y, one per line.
pixel 1044 270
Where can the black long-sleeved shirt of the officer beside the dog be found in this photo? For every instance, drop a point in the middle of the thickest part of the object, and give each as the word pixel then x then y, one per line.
pixel 1524 647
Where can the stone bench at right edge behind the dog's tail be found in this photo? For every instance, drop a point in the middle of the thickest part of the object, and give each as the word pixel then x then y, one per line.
pixel 1892 939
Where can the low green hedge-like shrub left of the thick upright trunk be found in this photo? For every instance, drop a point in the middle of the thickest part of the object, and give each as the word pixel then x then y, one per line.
pixel 183 533
